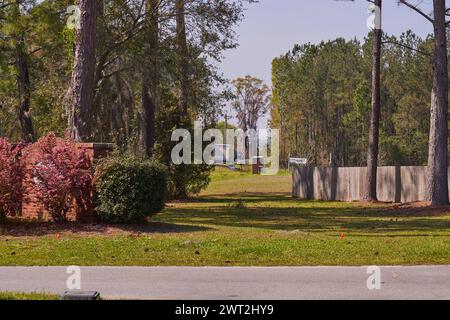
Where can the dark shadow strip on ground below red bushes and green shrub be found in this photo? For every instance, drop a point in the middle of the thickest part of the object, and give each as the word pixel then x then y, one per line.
pixel 19 228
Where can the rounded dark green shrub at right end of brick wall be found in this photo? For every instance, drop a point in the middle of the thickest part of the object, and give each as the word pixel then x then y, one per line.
pixel 129 189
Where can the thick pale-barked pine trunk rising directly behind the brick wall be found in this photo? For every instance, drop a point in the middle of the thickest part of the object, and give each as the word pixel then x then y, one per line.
pixel 81 91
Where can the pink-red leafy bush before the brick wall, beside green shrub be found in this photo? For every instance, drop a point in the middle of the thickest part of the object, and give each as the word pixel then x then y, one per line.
pixel 62 176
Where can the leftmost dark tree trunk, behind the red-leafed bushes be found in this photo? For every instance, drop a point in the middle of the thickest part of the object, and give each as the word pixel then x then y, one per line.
pixel 23 85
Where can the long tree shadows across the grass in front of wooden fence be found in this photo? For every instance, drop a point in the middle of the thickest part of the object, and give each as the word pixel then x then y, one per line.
pixel 313 216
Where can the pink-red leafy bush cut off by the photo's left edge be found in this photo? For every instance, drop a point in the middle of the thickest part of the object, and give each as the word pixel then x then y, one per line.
pixel 12 172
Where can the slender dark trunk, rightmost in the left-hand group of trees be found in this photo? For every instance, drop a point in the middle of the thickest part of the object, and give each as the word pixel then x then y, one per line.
pixel 182 57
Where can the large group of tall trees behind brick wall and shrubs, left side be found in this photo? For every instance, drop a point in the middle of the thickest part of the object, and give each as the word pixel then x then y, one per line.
pixel 130 72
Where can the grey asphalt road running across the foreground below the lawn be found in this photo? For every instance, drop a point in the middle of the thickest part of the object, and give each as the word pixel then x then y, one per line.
pixel 304 283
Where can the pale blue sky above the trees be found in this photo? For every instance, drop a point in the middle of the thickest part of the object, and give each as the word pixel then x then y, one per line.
pixel 272 27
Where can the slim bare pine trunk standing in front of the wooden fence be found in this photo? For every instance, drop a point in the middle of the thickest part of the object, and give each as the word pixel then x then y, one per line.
pixel 372 154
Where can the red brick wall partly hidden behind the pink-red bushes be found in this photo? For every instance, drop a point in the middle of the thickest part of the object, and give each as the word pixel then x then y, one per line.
pixel 31 209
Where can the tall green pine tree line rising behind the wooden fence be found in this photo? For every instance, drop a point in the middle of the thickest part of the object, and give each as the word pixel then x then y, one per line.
pixel 322 100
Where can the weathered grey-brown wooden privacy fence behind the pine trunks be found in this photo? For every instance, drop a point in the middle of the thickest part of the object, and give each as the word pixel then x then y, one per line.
pixel 394 184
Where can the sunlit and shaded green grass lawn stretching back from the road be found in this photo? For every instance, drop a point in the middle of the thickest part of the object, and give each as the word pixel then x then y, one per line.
pixel 242 220
